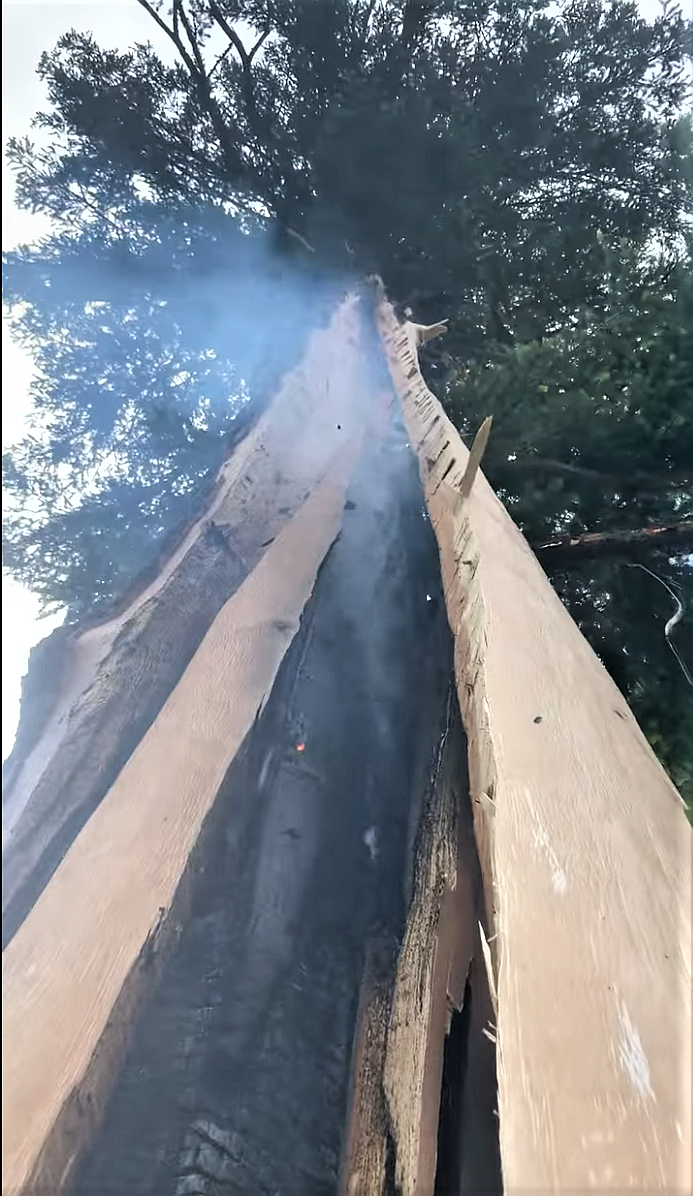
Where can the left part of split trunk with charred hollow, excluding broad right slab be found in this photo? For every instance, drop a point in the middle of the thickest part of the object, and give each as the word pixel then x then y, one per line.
pixel 233 804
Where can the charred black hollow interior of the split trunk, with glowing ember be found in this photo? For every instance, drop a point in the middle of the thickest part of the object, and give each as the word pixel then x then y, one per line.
pixel 238 1079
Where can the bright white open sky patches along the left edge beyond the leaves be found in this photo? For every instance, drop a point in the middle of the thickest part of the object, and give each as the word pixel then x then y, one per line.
pixel 29 29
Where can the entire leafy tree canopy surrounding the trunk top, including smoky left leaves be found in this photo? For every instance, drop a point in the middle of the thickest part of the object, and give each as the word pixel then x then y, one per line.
pixel 519 167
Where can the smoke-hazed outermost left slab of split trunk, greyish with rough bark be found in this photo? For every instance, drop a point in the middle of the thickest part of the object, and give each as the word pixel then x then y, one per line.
pixel 117 675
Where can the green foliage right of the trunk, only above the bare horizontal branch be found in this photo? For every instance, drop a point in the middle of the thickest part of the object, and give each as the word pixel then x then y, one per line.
pixel 594 424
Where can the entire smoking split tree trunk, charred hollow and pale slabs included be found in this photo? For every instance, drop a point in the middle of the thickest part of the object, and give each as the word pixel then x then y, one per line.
pixel 263 927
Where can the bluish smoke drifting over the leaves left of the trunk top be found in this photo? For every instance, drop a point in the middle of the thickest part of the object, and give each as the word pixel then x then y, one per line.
pixel 157 345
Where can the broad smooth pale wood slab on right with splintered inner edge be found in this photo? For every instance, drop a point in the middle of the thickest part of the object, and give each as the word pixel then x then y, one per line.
pixel 586 851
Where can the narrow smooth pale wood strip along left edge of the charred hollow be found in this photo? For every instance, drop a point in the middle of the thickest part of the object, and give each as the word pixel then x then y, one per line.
pixel 106 910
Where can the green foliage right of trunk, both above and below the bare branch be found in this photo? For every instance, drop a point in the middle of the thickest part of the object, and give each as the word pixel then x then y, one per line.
pixel 594 431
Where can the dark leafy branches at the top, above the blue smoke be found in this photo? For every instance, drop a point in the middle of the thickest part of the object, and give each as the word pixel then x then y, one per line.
pixel 466 150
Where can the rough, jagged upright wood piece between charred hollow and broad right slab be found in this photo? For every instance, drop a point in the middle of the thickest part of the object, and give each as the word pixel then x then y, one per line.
pixel 406 1009
